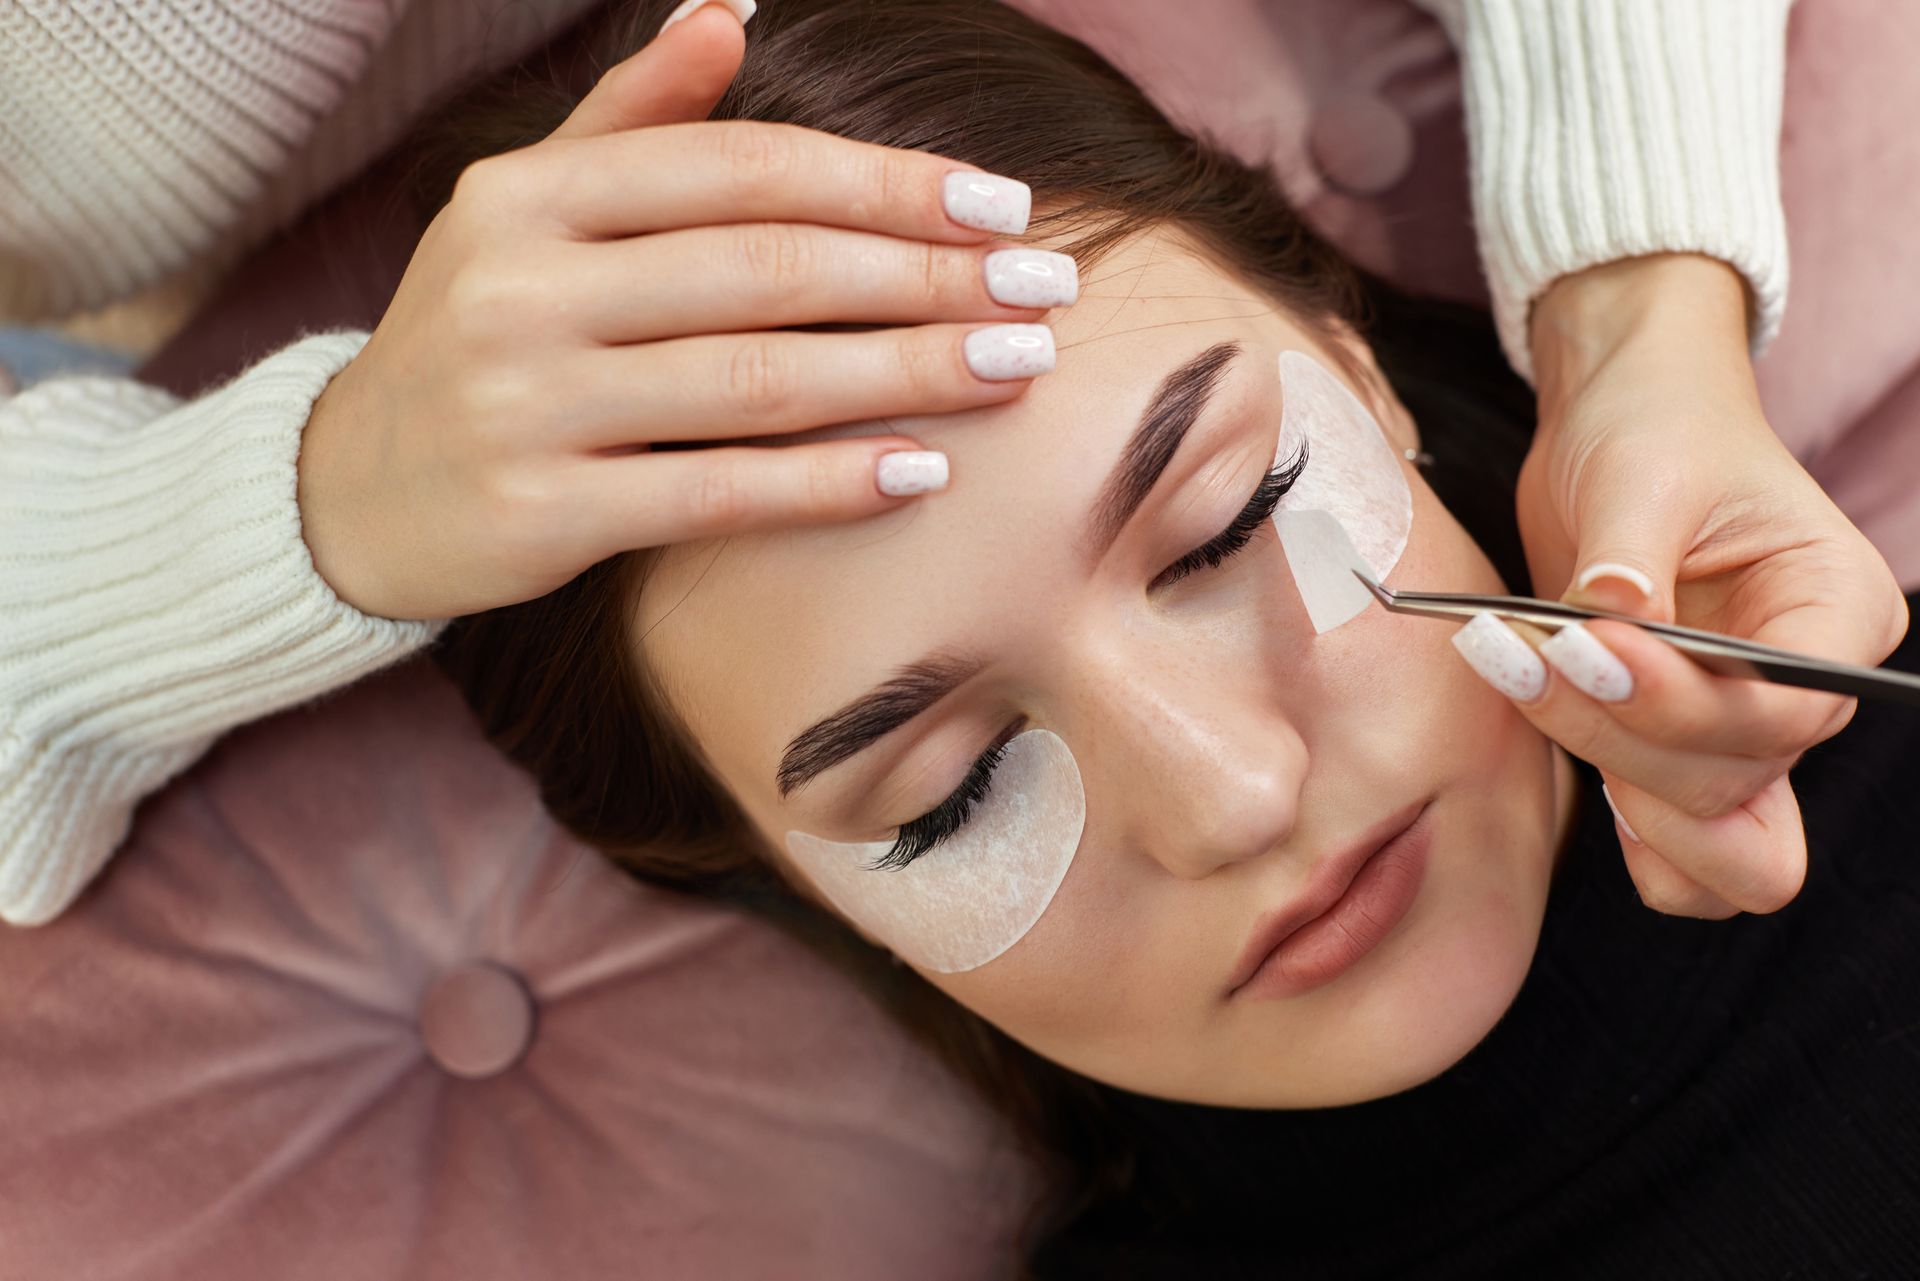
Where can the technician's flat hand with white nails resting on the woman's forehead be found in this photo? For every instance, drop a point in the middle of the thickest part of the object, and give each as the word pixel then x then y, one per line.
pixel 631 281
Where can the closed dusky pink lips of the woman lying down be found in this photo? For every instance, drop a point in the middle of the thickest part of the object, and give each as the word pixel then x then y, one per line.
pixel 1328 946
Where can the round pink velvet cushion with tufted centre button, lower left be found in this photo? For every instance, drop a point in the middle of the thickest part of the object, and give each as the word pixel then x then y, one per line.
pixel 350 1005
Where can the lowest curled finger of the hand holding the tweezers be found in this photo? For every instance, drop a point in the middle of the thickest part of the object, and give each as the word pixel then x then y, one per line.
pixel 1752 859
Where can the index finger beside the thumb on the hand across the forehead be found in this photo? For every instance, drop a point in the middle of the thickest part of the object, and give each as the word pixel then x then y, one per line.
pixel 756 172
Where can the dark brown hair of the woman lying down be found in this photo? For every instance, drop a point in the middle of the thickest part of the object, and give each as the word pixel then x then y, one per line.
pixel 552 679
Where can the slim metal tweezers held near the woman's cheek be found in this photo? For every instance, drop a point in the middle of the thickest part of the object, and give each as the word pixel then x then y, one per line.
pixel 1727 656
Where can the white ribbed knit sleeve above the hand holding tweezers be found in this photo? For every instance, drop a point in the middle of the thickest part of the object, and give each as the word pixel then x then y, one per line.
pixel 1610 130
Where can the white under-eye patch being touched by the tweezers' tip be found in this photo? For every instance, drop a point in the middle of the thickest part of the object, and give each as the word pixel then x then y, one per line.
pixel 1353 477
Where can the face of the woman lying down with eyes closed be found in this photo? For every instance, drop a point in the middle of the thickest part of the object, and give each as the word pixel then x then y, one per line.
pixel 1224 750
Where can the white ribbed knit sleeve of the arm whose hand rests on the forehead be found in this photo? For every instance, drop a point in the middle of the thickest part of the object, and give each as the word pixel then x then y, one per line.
pixel 155 592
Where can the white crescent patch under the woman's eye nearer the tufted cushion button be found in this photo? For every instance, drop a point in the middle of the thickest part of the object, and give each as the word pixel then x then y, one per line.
pixel 976 894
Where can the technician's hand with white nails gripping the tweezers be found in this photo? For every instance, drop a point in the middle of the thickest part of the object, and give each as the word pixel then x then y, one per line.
pixel 1656 462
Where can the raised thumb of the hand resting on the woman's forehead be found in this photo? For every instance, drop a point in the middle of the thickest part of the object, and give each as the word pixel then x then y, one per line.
pixel 675 78
